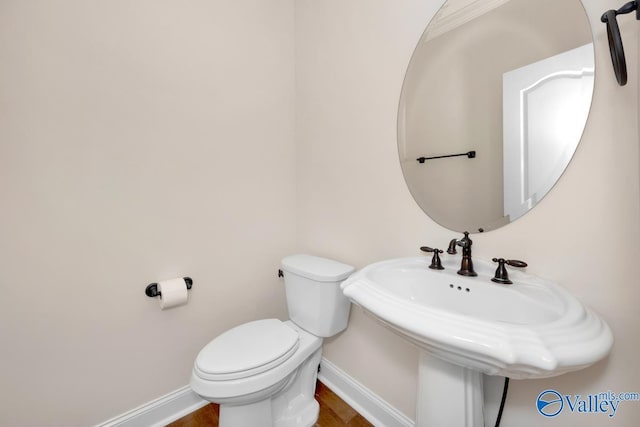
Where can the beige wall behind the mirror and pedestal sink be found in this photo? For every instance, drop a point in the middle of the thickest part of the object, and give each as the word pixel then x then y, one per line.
pixel 354 205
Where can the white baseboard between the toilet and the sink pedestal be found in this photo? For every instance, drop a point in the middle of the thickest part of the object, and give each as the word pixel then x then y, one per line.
pixel 368 404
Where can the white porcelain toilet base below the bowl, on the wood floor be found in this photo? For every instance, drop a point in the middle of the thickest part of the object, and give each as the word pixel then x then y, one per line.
pixel 293 406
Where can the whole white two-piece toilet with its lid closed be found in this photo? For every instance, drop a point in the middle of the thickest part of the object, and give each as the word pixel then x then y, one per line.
pixel 263 373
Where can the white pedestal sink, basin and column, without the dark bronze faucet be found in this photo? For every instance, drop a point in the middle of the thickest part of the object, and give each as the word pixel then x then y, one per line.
pixel 469 326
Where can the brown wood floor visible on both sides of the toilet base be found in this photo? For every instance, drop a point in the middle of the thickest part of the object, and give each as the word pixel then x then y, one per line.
pixel 334 412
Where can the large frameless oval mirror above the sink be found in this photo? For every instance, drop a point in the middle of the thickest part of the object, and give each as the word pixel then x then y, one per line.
pixel 493 105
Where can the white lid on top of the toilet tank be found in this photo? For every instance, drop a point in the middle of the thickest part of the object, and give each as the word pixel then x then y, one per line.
pixel 317 268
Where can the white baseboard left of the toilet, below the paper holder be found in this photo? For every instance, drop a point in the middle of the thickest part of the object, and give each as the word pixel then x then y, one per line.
pixel 161 411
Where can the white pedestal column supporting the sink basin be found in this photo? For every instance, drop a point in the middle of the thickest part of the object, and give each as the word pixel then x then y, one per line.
pixel 448 394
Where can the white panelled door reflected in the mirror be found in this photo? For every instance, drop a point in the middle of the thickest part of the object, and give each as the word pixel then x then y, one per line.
pixel 545 107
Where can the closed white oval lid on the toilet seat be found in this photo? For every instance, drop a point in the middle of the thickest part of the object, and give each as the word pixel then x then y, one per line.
pixel 248 349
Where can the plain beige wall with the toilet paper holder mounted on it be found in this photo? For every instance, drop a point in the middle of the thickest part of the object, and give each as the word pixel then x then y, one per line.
pixel 139 141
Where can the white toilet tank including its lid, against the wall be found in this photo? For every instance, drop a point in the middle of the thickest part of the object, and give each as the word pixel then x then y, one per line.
pixel 314 298
